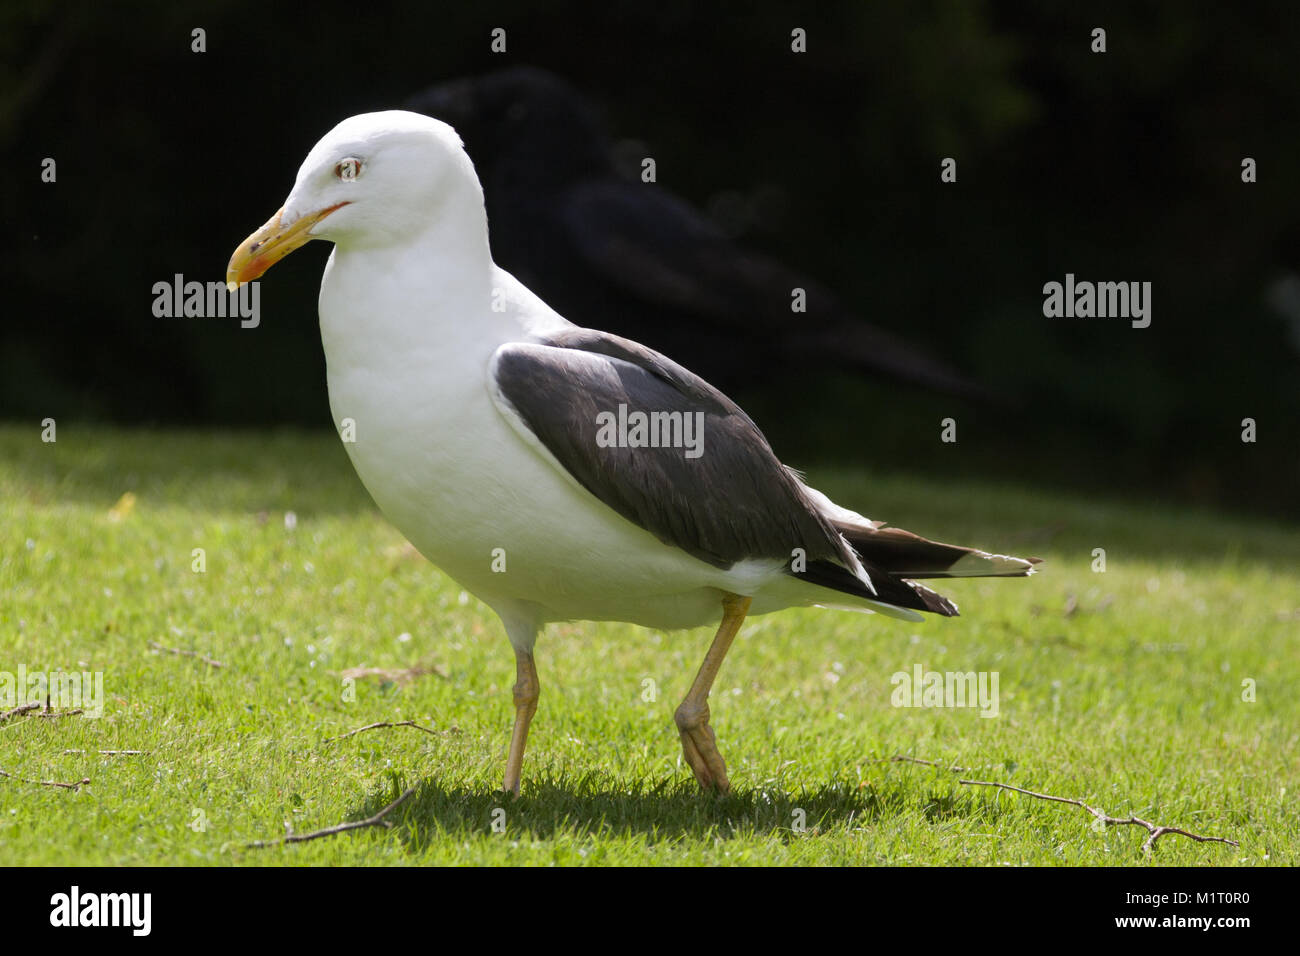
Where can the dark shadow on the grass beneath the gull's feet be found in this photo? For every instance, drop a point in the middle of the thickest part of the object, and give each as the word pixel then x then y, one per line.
pixel 593 806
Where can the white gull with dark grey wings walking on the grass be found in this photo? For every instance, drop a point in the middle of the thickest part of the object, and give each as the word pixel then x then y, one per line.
pixel 558 473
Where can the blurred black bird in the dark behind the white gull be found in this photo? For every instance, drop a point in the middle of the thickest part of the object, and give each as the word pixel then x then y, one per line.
pixel 634 259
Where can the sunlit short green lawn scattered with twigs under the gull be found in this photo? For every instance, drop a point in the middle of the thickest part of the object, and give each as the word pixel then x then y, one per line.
pixel 1123 689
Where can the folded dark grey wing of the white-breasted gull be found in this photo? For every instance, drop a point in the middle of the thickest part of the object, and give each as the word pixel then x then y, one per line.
pixel 720 495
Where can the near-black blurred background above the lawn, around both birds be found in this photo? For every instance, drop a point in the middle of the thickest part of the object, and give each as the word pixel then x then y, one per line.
pixel 1121 167
